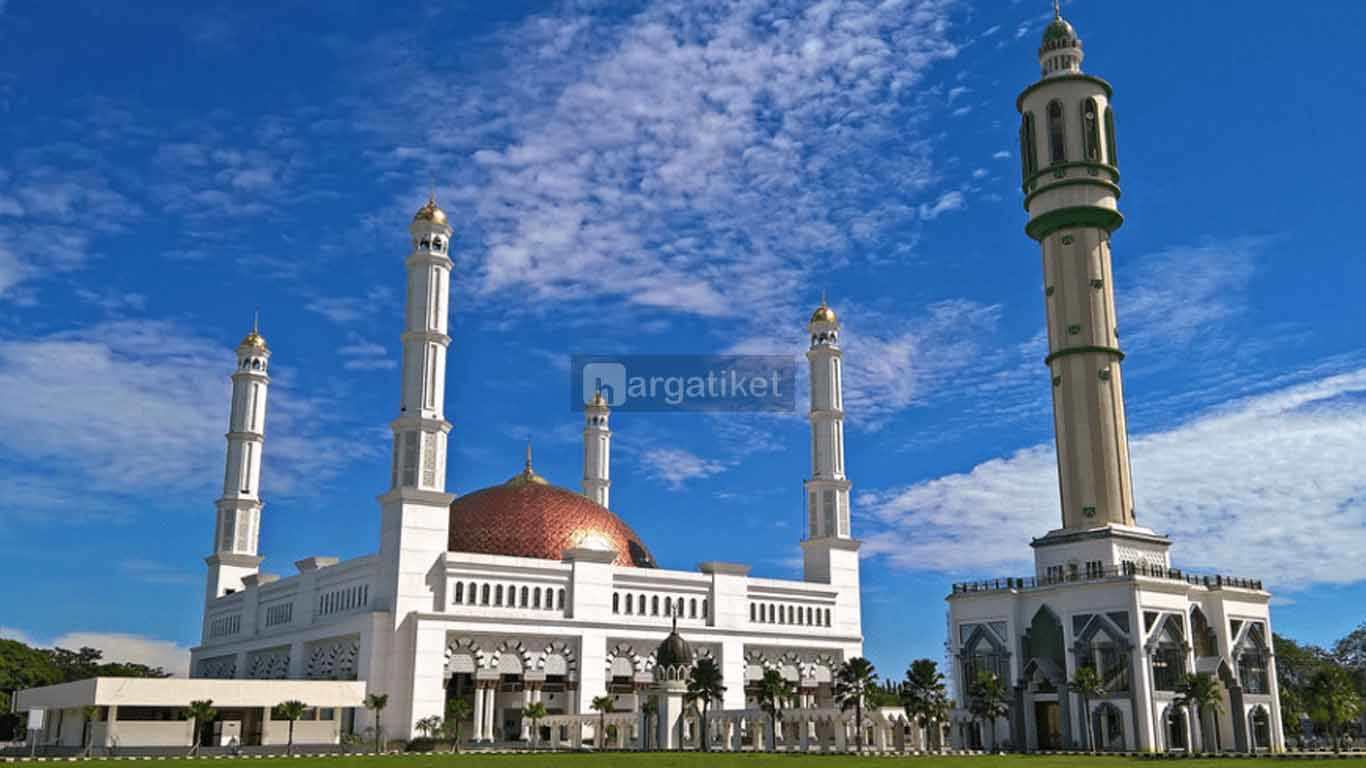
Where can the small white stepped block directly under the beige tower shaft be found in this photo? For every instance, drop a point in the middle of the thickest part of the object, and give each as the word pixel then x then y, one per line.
pixel 1069 551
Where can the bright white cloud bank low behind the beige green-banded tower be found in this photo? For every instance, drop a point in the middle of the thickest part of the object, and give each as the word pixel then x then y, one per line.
pixel 1266 487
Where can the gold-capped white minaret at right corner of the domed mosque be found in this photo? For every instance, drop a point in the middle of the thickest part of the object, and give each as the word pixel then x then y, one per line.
pixel 830 553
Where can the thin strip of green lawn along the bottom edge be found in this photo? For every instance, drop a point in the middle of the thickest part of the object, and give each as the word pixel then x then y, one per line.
pixel 708 760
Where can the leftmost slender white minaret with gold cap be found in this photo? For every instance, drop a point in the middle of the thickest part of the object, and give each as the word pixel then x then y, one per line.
pixel 238 528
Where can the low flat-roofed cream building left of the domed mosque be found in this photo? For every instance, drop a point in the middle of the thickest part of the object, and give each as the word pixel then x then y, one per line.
pixel 151 713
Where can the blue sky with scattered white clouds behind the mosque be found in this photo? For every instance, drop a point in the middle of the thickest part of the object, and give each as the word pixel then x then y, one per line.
pixel 666 177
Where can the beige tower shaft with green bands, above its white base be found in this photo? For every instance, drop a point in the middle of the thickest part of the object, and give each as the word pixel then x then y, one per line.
pixel 1072 193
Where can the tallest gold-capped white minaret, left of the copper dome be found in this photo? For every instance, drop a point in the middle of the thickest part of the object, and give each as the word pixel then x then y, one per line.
pixel 416 512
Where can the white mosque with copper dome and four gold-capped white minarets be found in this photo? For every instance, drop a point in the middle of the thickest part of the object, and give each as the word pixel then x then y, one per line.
pixel 522 592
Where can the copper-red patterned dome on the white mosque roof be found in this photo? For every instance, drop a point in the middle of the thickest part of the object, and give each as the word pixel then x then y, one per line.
pixel 535 520
